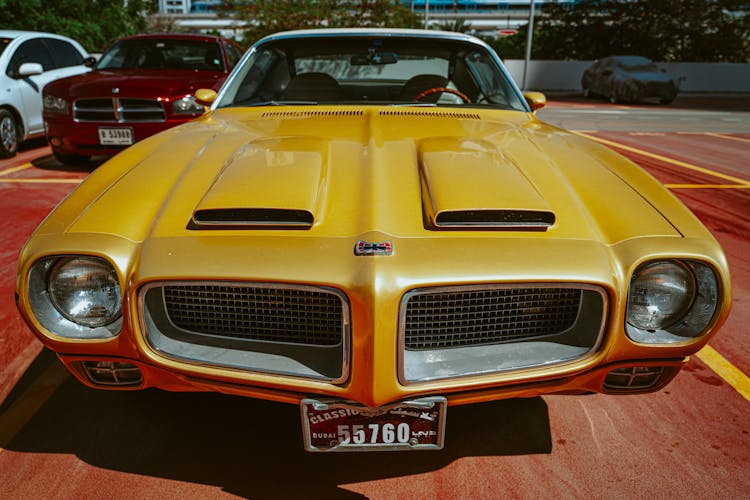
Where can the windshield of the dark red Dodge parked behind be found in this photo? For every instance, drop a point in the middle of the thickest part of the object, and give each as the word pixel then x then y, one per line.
pixel 163 54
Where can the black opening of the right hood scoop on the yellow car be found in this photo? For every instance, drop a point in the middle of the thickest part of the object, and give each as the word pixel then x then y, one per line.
pixel 500 219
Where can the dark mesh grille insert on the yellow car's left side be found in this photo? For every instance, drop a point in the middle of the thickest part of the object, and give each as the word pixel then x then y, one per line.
pixel 286 315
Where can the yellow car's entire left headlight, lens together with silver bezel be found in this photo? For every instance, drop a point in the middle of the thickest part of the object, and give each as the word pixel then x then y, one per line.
pixel 76 296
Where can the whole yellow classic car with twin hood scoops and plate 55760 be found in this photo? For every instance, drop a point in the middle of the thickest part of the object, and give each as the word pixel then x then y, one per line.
pixel 372 225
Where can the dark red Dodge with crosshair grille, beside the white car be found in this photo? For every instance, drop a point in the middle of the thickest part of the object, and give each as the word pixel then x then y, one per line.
pixel 142 85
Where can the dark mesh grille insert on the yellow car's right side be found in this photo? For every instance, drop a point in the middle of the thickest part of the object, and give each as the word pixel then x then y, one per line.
pixel 479 316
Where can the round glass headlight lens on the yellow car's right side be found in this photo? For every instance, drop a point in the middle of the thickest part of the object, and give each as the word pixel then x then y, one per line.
pixel 661 294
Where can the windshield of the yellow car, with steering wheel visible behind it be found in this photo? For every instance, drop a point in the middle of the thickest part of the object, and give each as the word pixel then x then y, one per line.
pixel 390 70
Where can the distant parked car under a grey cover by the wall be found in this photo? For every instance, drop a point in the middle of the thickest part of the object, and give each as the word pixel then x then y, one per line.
pixel 629 79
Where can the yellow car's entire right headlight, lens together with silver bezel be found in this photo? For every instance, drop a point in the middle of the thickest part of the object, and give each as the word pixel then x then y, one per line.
pixel 671 301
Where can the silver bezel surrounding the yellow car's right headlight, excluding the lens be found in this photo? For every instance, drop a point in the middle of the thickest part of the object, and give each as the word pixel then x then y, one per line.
pixel 698 318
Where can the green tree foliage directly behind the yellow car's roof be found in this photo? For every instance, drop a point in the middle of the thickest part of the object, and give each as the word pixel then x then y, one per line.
pixel 264 17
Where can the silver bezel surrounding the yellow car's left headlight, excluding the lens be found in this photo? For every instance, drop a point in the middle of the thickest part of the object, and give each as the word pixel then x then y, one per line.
pixel 50 315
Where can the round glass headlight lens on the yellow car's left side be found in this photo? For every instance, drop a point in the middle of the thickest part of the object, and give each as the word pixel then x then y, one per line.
pixel 85 290
